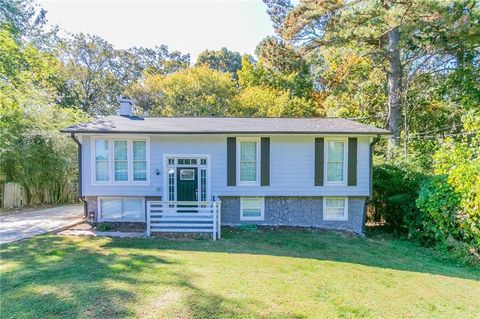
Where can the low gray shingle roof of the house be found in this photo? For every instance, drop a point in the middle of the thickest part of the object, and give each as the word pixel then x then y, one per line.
pixel 217 125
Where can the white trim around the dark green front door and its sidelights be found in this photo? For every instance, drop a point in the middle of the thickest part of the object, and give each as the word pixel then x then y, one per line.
pixel 199 166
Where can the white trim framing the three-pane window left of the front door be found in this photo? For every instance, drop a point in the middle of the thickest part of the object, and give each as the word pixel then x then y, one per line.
pixel 111 160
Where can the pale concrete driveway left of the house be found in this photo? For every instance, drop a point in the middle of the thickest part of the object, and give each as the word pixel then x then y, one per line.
pixel 26 224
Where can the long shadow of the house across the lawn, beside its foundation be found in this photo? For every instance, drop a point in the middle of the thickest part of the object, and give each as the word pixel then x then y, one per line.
pixel 321 245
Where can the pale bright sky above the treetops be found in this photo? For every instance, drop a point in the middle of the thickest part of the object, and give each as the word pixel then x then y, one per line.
pixel 187 26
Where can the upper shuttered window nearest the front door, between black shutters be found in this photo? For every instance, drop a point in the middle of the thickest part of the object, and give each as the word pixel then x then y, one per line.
pixel 248 150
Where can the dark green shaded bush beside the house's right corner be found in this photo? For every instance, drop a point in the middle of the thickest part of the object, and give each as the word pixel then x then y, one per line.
pixel 395 190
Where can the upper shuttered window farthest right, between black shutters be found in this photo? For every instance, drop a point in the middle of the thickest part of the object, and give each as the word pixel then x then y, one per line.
pixel 336 152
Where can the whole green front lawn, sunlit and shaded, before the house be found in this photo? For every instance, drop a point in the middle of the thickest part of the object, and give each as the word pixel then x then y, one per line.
pixel 263 274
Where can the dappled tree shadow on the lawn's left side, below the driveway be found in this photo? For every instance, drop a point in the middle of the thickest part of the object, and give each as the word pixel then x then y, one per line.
pixel 52 277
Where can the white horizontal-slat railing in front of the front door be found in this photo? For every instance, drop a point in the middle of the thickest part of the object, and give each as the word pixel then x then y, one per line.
pixel 184 217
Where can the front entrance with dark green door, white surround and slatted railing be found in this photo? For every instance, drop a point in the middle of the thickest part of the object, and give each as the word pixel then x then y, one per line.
pixel 187 187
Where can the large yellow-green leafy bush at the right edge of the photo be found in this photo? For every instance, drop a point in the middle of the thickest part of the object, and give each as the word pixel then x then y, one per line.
pixel 449 202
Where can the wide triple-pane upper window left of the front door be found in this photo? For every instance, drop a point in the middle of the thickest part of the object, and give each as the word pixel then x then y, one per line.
pixel 122 161
